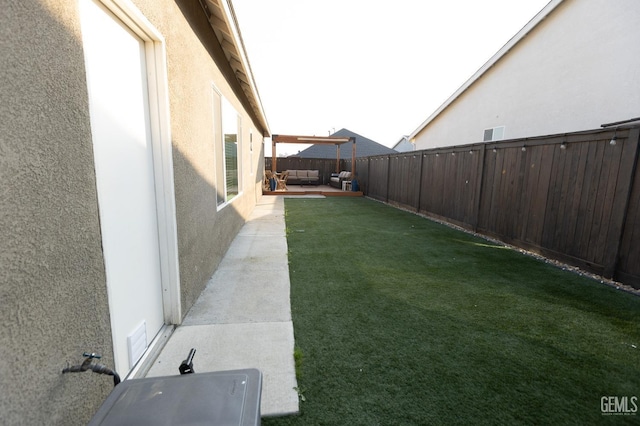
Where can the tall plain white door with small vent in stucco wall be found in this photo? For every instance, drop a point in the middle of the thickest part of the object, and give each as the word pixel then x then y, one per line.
pixel 119 108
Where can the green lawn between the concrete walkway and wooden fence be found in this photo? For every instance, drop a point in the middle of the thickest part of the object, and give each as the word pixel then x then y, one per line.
pixel 402 321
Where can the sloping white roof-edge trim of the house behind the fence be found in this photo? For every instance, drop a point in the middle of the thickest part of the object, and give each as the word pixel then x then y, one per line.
pixel 520 35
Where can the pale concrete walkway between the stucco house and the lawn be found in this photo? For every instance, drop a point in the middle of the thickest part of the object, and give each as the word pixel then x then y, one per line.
pixel 243 317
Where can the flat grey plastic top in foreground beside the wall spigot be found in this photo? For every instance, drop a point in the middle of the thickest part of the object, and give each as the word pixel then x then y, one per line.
pixel 218 398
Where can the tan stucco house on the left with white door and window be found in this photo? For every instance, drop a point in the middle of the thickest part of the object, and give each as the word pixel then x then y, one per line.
pixel 131 153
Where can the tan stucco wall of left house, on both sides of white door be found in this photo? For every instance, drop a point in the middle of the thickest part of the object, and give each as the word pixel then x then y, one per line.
pixel 53 290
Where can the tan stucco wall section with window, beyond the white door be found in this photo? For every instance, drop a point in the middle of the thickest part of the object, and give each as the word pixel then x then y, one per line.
pixel 196 68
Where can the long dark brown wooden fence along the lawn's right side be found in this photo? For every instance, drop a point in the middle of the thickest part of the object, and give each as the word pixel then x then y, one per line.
pixel 572 197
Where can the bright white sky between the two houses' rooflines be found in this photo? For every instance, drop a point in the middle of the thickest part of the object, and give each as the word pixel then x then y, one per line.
pixel 378 68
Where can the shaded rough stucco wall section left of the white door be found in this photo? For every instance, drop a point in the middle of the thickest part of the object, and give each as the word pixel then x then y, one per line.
pixel 52 282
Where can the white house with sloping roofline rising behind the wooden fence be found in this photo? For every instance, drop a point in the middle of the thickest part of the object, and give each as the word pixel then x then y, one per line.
pixel 573 67
